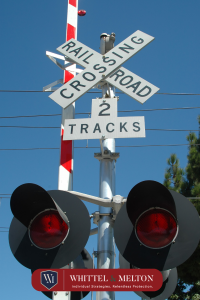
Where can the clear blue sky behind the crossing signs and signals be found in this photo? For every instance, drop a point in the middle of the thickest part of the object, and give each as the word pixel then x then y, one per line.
pixel 170 62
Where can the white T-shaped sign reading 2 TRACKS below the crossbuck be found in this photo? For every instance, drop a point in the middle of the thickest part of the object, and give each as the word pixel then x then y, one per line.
pixel 104 123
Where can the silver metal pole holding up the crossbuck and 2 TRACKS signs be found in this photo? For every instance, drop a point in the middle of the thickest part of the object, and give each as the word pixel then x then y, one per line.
pixel 105 248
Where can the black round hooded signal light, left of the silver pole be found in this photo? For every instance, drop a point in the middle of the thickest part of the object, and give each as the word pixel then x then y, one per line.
pixel 37 246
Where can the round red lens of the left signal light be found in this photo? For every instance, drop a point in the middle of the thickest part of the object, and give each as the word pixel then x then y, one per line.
pixel 48 230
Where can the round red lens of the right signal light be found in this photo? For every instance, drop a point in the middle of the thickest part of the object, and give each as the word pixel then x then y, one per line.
pixel 156 228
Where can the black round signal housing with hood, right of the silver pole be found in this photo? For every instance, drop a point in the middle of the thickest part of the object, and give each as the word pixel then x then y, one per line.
pixel 181 243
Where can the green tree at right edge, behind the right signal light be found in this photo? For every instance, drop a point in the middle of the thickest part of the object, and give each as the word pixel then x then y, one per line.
pixel 187 182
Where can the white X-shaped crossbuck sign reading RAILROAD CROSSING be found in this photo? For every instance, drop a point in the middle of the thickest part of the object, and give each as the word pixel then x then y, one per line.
pixel 104 67
